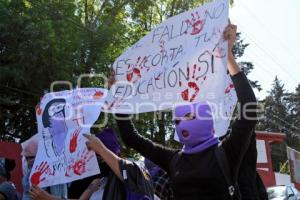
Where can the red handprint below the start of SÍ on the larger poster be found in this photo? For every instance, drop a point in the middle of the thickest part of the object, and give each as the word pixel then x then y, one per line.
pixel 192 84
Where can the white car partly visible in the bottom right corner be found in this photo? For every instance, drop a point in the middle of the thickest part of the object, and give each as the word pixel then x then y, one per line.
pixel 283 193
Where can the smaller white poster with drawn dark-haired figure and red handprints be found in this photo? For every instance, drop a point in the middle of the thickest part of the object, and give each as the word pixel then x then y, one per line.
pixel 62 118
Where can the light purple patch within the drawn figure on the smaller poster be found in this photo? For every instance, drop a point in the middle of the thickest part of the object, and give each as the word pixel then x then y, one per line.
pixel 58 131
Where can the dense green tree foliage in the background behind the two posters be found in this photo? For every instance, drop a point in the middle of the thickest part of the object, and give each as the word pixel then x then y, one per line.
pixel 44 41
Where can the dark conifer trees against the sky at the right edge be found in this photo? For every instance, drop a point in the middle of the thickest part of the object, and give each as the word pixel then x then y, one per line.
pixel 281 114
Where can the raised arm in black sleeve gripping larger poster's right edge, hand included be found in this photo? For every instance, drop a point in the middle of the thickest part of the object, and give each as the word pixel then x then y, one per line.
pixel 238 141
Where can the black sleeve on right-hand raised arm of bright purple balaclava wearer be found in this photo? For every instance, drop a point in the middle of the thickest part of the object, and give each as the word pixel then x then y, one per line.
pixel 238 141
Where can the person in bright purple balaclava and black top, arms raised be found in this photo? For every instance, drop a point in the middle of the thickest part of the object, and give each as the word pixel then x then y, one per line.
pixel 194 170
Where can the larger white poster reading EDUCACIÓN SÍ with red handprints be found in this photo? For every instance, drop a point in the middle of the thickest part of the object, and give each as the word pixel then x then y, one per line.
pixel 182 60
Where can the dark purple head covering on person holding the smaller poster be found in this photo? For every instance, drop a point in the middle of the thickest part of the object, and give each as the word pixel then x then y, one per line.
pixel 110 140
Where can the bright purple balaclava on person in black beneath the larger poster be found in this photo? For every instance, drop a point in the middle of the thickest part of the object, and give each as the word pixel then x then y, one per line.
pixel 195 131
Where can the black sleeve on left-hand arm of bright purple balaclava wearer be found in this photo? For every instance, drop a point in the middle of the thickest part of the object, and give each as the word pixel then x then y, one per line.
pixel 156 153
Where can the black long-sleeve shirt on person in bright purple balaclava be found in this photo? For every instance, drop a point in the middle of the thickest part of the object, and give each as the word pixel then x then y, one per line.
pixel 198 176
